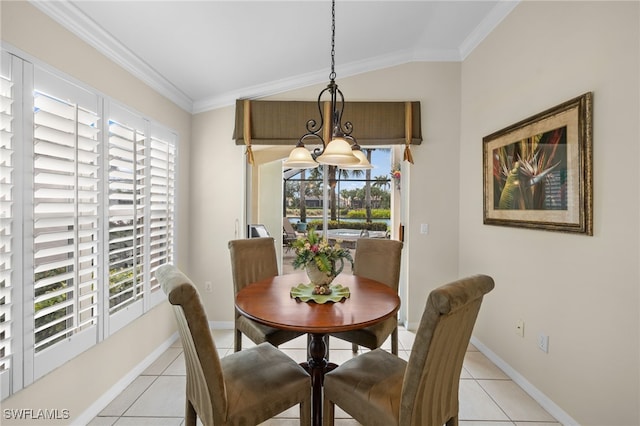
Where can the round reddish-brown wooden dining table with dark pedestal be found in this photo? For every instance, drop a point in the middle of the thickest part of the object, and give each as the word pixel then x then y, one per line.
pixel 269 302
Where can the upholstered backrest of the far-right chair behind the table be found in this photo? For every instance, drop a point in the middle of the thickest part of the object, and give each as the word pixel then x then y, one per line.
pixel 378 259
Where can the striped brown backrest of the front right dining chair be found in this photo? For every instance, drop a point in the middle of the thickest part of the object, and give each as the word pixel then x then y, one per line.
pixel 430 387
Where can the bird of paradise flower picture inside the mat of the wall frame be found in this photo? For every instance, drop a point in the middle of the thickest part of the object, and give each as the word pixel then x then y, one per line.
pixel 531 174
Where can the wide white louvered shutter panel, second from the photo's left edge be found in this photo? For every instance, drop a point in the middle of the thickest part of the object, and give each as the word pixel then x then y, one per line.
pixel 66 178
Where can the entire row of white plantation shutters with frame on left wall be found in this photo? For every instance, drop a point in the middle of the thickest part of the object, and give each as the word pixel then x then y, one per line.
pixel 87 213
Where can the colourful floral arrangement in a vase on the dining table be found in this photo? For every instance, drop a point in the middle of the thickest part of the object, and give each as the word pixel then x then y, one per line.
pixel 322 261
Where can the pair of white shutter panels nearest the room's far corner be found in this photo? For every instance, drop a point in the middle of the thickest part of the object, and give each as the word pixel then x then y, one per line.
pixel 141 175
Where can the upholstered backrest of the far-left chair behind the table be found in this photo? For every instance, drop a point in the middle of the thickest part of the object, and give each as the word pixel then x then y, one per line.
pixel 252 259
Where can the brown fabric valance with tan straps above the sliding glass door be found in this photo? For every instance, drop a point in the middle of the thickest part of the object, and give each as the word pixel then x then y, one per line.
pixel 284 122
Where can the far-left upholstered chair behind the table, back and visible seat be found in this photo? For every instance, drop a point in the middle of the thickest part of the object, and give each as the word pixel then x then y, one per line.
pixel 252 260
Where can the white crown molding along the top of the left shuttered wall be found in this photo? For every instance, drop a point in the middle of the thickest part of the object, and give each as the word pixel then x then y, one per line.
pixel 71 18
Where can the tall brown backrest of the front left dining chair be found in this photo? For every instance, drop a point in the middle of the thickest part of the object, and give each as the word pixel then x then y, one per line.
pixel 205 382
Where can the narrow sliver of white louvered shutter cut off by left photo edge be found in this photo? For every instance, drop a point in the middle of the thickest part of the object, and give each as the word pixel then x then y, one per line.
pixel 7 223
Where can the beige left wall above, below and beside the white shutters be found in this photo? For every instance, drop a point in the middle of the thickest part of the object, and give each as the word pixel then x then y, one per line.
pixel 85 379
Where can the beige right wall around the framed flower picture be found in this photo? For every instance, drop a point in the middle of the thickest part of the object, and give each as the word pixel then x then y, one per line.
pixel 581 291
